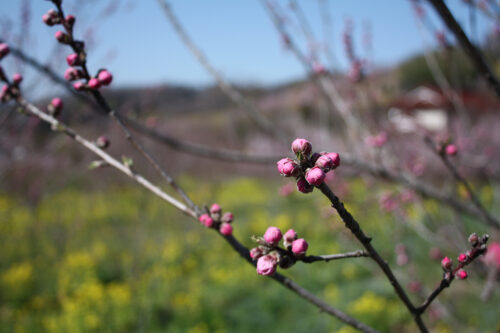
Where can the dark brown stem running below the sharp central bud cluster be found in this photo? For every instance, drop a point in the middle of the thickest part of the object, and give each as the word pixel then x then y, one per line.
pixel 356 230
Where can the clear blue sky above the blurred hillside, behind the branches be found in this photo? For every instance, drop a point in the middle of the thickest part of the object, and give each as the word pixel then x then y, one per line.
pixel 140 47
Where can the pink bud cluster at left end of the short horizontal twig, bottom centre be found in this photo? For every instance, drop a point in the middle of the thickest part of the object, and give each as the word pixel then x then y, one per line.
pixel 269 255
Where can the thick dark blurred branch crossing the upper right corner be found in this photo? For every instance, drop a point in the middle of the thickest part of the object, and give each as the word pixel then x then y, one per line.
pixel 474 54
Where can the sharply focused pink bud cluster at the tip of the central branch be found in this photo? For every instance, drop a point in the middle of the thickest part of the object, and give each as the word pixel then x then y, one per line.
pixel 309 169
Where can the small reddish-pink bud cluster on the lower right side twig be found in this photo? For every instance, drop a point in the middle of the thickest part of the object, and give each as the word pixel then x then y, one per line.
pixel 478 247
